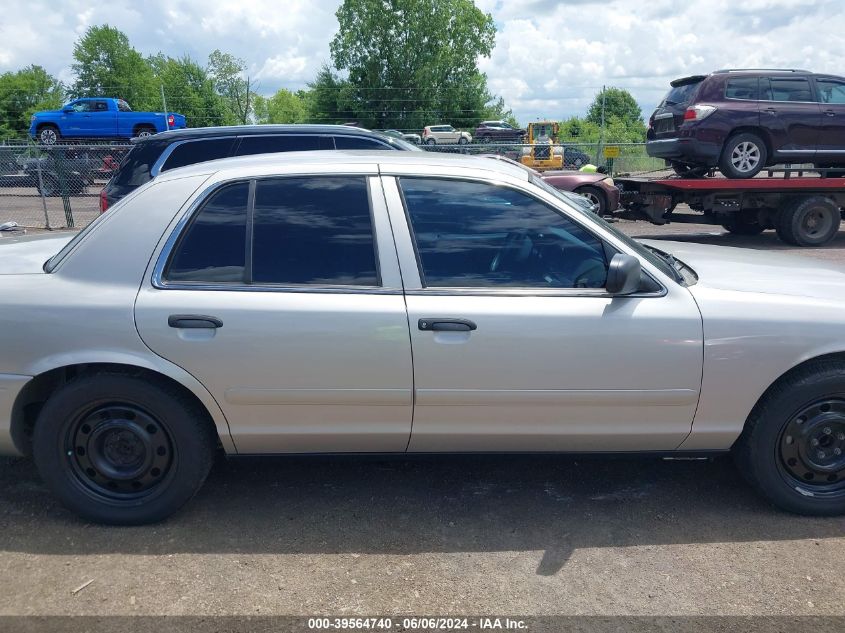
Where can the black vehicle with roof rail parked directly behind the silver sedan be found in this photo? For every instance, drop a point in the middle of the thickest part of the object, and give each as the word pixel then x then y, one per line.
pixel 177 148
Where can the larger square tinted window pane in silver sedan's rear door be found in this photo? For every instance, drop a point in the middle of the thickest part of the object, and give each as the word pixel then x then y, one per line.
pixel 314 230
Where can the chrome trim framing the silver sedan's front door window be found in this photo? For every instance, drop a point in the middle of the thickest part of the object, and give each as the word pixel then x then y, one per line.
pixel 514 291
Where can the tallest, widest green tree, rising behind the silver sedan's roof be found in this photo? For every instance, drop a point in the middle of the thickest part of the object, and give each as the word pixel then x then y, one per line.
pixel 413 62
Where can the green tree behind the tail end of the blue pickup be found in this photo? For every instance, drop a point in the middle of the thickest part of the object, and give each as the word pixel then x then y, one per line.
pixel 189 90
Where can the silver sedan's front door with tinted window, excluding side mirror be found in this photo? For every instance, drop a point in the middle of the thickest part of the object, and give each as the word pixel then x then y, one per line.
pixel 516 344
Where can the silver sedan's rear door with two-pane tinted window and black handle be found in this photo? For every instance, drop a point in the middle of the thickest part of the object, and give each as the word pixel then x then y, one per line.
pixel 283 297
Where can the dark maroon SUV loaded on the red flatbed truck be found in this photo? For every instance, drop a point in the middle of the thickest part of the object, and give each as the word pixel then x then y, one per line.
pixel 744 120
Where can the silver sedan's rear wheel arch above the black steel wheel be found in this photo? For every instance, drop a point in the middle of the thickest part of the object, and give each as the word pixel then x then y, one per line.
pixel 44 383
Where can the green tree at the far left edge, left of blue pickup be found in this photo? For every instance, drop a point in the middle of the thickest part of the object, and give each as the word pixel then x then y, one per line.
pixel 23 92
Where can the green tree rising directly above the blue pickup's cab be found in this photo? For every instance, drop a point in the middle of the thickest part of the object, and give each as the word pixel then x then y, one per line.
pixel 107 66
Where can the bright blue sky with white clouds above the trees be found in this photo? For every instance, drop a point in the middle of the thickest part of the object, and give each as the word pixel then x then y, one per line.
pixel 551 57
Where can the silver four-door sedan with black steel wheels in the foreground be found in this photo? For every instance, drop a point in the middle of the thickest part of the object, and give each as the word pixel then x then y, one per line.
pixel 363 302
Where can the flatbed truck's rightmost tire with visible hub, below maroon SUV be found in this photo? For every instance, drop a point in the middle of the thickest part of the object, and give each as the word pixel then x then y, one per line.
pixel 812 221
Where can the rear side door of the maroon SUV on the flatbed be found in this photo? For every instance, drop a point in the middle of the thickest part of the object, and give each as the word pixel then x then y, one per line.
pixel 790 115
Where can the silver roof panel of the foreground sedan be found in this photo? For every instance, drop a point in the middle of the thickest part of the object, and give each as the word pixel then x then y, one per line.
pixel 383 158
